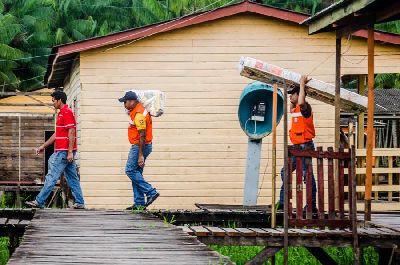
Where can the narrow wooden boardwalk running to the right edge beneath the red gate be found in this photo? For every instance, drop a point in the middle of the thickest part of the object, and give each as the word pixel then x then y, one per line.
pixel 368 236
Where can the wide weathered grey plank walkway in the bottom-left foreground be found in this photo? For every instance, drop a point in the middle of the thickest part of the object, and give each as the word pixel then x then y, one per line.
pixel 108 237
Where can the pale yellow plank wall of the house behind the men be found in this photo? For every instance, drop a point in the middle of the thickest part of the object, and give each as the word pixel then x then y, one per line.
pixel 199 149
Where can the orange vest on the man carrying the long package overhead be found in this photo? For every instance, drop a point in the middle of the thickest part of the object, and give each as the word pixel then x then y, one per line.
pixel 302 130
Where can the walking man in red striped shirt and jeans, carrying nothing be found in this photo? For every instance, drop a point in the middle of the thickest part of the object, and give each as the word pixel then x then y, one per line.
pixel 62 160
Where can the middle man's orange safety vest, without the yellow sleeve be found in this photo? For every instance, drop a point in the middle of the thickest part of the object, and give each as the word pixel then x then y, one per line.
pixel 133 133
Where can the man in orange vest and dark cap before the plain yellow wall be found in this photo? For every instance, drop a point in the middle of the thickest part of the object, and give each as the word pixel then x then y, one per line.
pixel 140 136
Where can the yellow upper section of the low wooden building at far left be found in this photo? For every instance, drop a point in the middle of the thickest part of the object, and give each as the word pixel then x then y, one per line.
pixel 28 100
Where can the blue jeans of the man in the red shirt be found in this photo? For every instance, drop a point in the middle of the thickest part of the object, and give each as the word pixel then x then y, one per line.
pixel 58 164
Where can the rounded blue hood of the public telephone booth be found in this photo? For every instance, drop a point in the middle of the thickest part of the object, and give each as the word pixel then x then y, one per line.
pixel 253 94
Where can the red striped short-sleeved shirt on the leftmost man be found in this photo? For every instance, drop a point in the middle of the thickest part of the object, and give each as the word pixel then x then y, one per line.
pixel 65 121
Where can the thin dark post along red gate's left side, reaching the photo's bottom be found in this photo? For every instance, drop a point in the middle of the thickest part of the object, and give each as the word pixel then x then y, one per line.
pixel 286 178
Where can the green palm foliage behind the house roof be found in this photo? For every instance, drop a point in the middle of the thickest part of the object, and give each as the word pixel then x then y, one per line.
pixel 29 28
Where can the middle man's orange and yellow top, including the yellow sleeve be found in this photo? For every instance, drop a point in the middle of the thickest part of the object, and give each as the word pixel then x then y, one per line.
pixel 140 120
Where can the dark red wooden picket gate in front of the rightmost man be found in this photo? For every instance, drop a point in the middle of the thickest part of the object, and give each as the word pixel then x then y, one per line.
pixel 304 171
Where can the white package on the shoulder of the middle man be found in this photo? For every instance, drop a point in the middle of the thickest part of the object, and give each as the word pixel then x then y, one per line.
pixel 152 100
